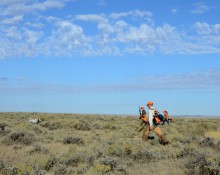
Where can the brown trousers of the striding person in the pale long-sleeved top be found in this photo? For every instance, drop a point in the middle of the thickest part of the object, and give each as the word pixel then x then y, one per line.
pixel 158 131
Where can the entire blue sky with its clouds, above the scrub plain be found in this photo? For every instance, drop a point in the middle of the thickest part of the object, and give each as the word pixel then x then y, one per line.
pixel 109 57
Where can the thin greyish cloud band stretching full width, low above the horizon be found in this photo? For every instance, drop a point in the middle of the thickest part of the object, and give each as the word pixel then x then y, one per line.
pixel 194 80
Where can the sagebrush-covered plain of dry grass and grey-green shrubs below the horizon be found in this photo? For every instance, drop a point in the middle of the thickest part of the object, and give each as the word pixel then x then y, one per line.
pixel 69 144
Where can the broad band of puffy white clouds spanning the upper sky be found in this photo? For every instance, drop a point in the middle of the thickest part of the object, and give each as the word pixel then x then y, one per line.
pixel 112 34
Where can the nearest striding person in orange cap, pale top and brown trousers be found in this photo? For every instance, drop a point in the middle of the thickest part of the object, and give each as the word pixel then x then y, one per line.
pixel 153 125
